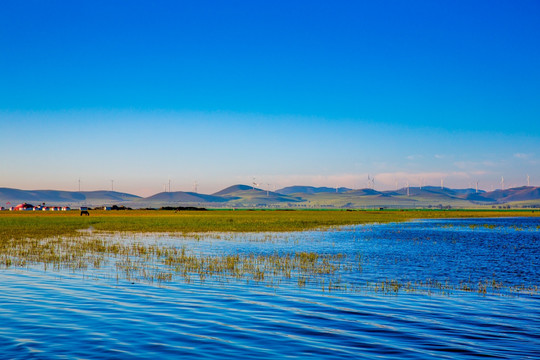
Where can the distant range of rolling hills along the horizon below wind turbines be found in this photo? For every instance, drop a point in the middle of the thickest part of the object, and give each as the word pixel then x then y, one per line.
pixel 288 197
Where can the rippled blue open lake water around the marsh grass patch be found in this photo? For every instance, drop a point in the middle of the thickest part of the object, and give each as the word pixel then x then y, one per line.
pixel 70 314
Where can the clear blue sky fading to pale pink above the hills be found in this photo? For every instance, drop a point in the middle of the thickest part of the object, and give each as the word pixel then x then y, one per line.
pixel 312 93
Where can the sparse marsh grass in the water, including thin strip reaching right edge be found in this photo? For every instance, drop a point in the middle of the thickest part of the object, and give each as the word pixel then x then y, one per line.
pixel 126 258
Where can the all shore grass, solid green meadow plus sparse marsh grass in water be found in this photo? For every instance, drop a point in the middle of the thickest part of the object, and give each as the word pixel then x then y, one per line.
pixel 55 242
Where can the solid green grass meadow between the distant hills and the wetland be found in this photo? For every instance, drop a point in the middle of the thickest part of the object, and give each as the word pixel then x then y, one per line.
pixel 26 224
